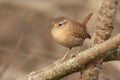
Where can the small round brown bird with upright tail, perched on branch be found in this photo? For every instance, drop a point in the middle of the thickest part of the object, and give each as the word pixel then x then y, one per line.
pixel 69 33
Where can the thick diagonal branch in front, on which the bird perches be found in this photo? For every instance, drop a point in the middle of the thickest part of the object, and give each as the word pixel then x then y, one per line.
pixel 74 64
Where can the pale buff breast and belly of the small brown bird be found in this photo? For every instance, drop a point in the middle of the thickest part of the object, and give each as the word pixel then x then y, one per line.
pixel 67 40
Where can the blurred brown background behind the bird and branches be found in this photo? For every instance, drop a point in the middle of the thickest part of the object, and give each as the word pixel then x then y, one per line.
pixel 25 41
